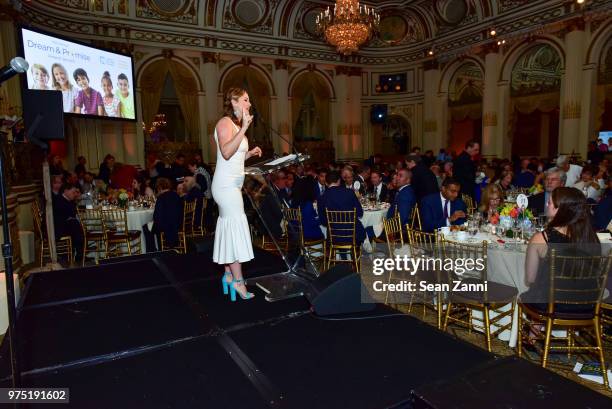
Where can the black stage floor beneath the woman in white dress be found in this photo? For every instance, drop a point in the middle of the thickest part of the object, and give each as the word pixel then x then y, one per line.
pixel 159 333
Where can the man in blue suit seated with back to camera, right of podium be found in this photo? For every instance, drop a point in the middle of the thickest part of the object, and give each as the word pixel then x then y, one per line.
pixel 338 197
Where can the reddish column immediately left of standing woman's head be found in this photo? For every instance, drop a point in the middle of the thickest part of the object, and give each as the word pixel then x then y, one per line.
pixel 210 109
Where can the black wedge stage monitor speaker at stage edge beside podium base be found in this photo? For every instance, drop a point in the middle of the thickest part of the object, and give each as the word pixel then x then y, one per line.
pixel 339 291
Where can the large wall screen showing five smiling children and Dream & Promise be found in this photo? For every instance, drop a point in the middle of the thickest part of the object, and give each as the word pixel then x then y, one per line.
pixel 93 82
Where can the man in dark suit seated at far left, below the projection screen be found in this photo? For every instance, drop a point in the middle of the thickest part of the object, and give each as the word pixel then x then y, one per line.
pixel 66 220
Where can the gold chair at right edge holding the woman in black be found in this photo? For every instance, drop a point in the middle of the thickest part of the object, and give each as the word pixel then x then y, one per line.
pixel 577 284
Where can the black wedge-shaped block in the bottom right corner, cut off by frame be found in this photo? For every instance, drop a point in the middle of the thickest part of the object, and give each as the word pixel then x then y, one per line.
pixel 509 382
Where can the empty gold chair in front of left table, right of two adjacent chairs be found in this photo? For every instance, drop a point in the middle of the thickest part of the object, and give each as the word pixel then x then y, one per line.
pixel 120 240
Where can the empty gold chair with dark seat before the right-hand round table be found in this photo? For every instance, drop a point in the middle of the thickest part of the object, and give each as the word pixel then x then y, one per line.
pixel 477 293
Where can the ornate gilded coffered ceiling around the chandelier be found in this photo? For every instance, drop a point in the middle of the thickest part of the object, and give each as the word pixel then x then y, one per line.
pixel 285 28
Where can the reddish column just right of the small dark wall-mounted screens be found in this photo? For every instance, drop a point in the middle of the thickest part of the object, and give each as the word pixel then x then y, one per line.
pixel 431 115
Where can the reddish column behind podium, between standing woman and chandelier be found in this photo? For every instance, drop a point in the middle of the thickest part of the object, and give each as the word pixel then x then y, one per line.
pixel 283 108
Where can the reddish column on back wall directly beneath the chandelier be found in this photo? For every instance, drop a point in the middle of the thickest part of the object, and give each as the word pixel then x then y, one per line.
pixel 340 118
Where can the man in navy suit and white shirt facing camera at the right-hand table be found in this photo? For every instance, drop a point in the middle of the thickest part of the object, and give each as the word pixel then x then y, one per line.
pixel 444 208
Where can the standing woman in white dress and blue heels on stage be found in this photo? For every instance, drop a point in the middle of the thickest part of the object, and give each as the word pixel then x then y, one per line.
pixel 232 237
